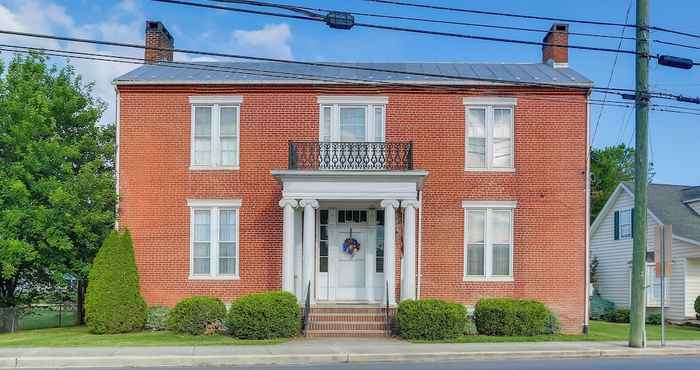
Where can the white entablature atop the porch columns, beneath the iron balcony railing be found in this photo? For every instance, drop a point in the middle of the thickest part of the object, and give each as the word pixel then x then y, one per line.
pixel 343 185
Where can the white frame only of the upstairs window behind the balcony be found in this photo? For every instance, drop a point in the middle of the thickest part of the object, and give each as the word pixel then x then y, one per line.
pixel 369 103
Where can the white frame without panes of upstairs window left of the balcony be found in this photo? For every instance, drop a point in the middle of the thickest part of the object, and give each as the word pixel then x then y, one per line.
pixel 215 103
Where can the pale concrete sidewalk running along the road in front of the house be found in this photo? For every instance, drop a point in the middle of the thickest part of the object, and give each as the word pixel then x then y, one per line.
pixel 323 350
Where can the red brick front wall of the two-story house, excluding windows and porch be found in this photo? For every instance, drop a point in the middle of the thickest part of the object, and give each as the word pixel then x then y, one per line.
pixel 548 184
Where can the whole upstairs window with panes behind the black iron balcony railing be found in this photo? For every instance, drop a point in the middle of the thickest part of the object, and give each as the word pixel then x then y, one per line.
pixel 352 118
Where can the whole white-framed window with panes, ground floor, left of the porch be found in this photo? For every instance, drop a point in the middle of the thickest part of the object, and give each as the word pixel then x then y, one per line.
pixel 214 238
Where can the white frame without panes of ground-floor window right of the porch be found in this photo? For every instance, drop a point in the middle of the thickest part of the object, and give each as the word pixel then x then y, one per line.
pixel 489 207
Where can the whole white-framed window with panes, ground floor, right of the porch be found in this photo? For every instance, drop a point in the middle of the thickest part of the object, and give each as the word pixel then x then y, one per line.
pixel 488 240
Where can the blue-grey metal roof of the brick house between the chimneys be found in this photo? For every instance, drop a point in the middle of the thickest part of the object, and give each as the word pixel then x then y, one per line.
pixel 290 73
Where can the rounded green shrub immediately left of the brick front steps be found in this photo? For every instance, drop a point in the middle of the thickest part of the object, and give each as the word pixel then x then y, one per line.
pixel 264 316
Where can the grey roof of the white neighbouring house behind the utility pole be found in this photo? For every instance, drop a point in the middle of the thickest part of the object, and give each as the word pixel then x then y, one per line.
pixel 667 203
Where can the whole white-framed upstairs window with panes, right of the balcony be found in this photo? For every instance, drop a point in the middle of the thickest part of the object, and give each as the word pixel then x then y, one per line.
pixel 489 134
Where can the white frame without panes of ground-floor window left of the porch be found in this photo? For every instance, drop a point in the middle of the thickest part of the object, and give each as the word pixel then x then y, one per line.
pixel 214 206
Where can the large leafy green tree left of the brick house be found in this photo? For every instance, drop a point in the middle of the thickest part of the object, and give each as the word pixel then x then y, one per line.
pixel 57 192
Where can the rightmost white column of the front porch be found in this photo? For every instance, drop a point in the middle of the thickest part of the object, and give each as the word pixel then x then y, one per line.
pixel 408 290
